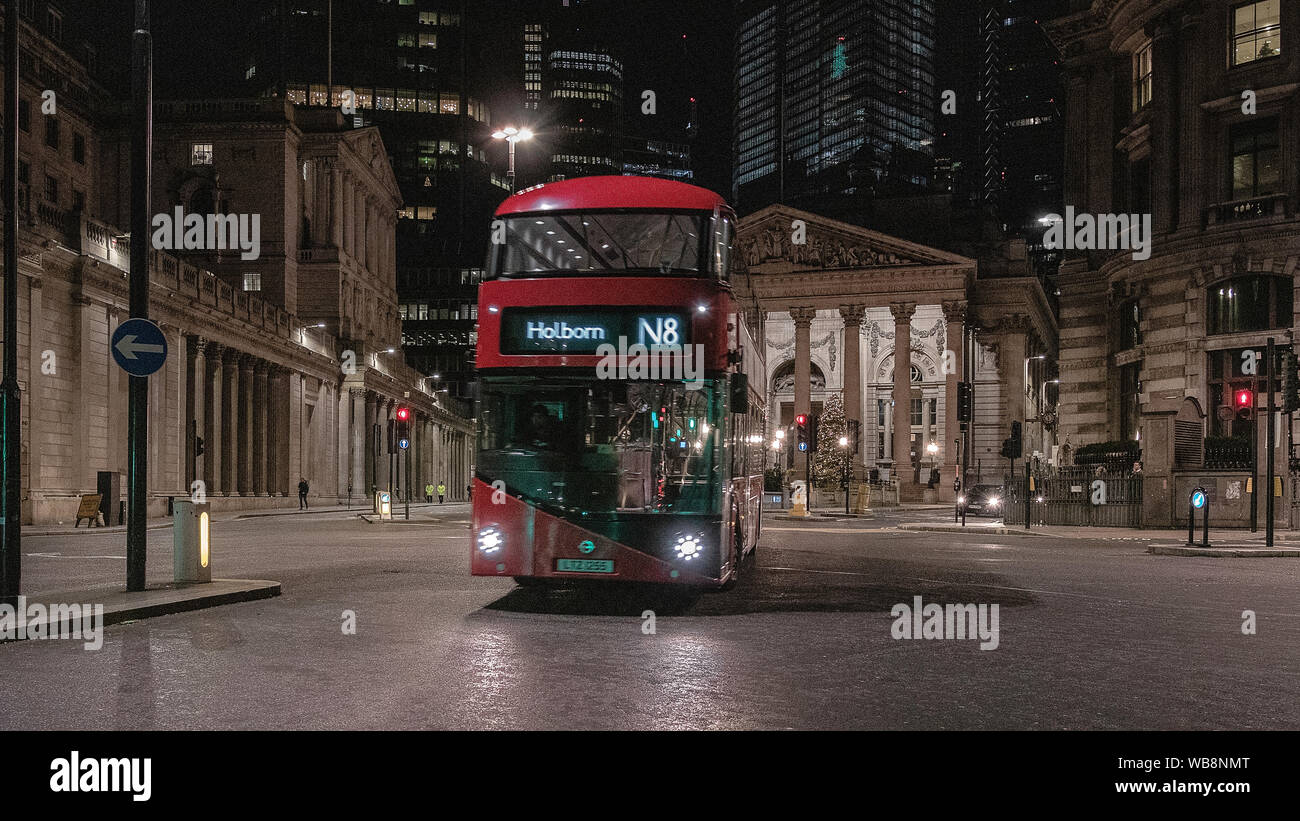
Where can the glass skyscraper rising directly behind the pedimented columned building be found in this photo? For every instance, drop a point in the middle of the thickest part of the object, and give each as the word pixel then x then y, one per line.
pixel 834 98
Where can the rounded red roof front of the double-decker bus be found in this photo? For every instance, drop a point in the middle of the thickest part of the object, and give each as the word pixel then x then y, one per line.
pixel 610 193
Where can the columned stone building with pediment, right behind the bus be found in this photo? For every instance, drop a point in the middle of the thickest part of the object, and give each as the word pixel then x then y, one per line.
pixel 873 318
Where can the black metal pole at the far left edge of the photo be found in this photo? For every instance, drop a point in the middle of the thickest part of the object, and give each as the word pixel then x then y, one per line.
pixel 11 507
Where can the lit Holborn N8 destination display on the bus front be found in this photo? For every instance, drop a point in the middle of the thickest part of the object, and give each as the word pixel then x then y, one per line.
pixel 579 331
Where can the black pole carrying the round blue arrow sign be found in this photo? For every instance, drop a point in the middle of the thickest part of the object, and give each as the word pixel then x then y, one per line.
pixel 138 399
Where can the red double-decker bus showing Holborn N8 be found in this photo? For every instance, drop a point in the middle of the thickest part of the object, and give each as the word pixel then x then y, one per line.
pixel 621 392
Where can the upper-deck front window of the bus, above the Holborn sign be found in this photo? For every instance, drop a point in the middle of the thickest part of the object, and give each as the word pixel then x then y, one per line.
pixel 605 242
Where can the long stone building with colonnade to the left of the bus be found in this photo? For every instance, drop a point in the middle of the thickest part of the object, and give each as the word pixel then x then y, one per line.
pixel 288 367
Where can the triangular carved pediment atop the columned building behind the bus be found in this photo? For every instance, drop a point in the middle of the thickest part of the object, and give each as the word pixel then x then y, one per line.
pixel 769 238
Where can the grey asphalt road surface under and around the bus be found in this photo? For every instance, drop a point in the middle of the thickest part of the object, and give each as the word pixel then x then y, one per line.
pixel 1093 636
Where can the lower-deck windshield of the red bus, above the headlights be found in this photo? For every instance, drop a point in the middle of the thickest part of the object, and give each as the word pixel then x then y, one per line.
pixel 578 445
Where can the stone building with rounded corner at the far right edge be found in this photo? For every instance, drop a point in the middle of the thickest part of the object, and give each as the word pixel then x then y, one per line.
pixel 1189 112
